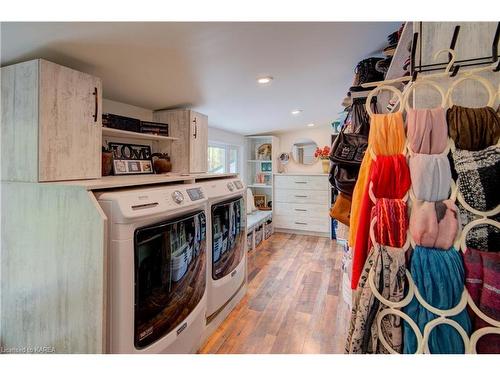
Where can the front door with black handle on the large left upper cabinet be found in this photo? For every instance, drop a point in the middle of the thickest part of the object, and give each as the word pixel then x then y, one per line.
pixel 70 124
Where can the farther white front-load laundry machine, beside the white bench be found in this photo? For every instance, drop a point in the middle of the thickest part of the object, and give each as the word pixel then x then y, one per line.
pixel 226 271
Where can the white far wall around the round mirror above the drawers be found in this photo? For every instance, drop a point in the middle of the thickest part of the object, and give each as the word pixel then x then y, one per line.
pixel 321 135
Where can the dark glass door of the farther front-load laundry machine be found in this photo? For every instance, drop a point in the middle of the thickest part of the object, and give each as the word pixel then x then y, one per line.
pixel 228 236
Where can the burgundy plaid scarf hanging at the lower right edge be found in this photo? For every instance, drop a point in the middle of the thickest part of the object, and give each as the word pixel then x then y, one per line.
pixel 482 280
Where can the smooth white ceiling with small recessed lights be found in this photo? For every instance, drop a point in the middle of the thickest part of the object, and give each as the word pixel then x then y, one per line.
pixel 211 67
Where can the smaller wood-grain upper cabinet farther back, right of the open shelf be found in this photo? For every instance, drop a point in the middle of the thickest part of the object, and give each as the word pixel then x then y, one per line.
pixel 190 153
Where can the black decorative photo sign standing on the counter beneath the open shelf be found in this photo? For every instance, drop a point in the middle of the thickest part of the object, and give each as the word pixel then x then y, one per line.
pixel 131 159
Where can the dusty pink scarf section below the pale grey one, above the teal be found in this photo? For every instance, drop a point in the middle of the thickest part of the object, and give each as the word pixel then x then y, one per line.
pixel 434 224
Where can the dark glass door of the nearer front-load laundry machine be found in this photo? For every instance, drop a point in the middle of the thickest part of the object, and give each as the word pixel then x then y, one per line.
pixel 170 275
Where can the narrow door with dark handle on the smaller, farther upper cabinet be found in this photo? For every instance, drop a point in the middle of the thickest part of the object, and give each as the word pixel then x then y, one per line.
pixel 198 143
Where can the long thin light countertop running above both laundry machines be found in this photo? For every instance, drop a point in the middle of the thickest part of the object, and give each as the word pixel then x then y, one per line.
pixel 110 182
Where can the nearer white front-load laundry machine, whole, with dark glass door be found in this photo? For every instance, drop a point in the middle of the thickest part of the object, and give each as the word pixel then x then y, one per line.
pixel 156 269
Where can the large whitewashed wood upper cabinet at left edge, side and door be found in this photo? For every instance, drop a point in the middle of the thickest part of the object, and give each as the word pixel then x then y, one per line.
pixel 51 123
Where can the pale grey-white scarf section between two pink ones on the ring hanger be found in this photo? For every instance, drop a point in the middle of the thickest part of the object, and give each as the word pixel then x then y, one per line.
pixel 430 176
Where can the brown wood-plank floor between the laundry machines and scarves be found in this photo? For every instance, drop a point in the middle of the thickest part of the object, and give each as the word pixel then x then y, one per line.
pixel 293 303
